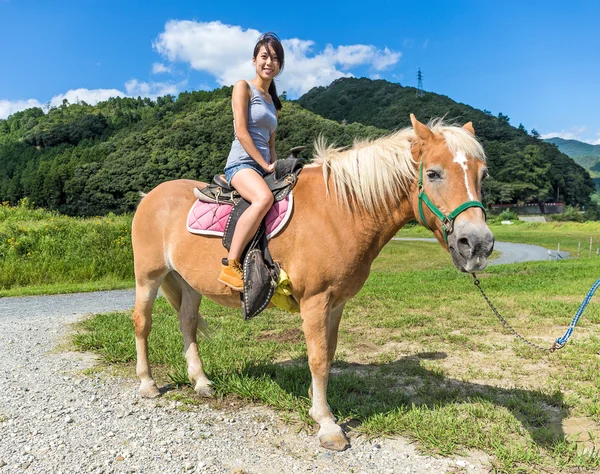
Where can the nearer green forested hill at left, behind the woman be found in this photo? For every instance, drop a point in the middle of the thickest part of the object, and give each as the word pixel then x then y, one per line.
pixel 88 160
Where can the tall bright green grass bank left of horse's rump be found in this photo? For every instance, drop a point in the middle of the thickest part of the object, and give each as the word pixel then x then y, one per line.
pixel 44 252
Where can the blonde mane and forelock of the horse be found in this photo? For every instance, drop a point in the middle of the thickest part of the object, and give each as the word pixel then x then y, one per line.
pixel 374 172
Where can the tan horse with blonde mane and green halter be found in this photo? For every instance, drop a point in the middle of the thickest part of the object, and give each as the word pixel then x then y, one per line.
pixel 348 203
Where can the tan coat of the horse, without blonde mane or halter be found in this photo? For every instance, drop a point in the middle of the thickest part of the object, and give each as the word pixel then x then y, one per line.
pixel 327 250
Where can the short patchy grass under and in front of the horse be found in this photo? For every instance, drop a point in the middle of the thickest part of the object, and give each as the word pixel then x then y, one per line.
pixel 419 355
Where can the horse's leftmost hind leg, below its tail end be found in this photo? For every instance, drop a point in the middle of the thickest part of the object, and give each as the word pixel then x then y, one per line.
pixel 145 294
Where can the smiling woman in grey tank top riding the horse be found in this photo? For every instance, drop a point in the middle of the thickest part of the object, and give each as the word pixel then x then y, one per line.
pixel 252 156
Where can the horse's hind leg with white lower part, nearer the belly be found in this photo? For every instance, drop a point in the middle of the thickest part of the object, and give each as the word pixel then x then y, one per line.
pixel 188 323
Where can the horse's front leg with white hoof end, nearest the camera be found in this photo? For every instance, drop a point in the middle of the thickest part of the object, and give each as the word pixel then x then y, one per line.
pixel 317 326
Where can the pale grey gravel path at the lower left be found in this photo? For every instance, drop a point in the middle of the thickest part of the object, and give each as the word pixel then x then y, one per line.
pixel 55 419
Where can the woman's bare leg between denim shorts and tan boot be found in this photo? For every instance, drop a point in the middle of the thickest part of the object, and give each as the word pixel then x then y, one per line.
pixel 252 188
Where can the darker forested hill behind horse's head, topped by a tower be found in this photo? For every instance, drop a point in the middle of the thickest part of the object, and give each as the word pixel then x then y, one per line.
pixel 523 168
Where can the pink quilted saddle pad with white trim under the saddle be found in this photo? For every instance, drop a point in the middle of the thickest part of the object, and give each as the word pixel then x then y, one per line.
pixel 210 219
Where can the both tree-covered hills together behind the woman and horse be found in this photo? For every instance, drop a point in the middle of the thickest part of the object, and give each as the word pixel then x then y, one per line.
pixel 84 160
